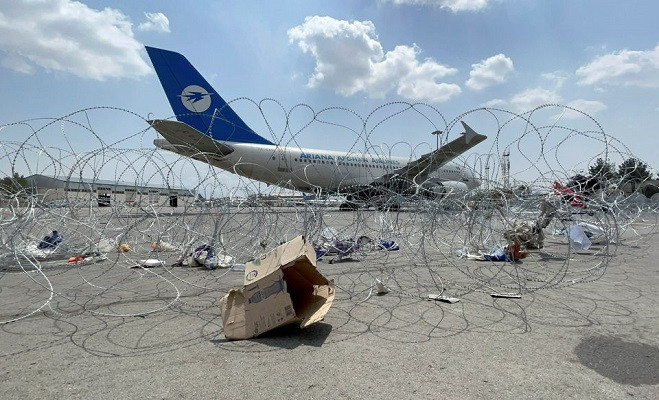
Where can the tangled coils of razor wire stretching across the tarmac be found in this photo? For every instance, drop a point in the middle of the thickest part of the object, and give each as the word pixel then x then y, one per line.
pixel 446 243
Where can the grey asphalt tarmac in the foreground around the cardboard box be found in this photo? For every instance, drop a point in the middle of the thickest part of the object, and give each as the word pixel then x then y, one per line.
pixel 586 327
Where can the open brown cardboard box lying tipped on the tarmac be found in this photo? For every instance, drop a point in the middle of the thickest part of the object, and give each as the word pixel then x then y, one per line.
pixel 281 287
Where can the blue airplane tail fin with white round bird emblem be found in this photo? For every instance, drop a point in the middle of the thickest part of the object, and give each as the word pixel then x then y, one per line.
pixel 195 102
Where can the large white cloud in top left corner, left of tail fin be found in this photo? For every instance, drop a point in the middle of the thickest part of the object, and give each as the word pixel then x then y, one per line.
pixel 69 36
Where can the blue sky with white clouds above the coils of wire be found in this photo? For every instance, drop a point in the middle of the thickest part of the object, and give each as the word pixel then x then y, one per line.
pixel 601 57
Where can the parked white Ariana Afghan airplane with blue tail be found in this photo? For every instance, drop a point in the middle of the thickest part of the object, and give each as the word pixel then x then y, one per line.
pixel 209 130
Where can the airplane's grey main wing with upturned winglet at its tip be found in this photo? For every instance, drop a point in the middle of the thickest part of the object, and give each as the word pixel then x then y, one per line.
pixel 419 170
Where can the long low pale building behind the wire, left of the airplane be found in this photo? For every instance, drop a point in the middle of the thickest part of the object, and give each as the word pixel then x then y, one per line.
pixel 61 191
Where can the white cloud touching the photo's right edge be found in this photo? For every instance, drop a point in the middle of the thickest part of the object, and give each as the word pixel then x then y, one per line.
pixel 624 68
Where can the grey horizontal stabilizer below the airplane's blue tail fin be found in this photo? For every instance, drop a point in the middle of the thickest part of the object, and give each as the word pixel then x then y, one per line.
pixel 186 139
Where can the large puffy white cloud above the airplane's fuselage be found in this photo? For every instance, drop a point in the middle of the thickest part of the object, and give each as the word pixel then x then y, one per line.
pixel 349 59
